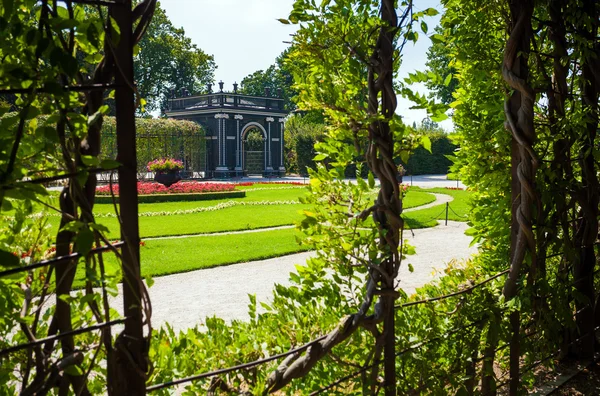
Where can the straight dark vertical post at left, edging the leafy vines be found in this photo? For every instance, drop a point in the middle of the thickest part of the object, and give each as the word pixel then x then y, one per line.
pixel 131 362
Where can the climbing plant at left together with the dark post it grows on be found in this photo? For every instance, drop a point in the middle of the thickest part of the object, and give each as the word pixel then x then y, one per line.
pixel 59 58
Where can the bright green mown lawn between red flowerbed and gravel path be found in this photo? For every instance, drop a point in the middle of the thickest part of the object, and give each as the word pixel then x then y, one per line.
pixel 168 256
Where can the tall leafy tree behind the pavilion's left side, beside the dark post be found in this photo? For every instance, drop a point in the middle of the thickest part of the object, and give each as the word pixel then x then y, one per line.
pixel 167 59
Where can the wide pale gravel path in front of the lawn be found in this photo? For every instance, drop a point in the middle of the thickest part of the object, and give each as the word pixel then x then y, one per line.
pixel 223 291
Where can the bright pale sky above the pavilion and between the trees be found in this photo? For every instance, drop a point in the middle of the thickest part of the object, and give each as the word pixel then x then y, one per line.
pixel 244 36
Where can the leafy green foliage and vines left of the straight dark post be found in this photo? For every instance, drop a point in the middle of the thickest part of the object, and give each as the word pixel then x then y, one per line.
pixel 45 47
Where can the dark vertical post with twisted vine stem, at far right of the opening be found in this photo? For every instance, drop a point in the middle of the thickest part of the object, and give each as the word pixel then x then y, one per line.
pixel 519 120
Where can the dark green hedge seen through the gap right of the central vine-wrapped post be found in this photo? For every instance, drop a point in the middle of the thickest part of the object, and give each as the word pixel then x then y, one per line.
pixel 422 162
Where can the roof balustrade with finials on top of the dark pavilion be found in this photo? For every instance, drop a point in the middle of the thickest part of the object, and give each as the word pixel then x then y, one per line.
pixel 226 100
